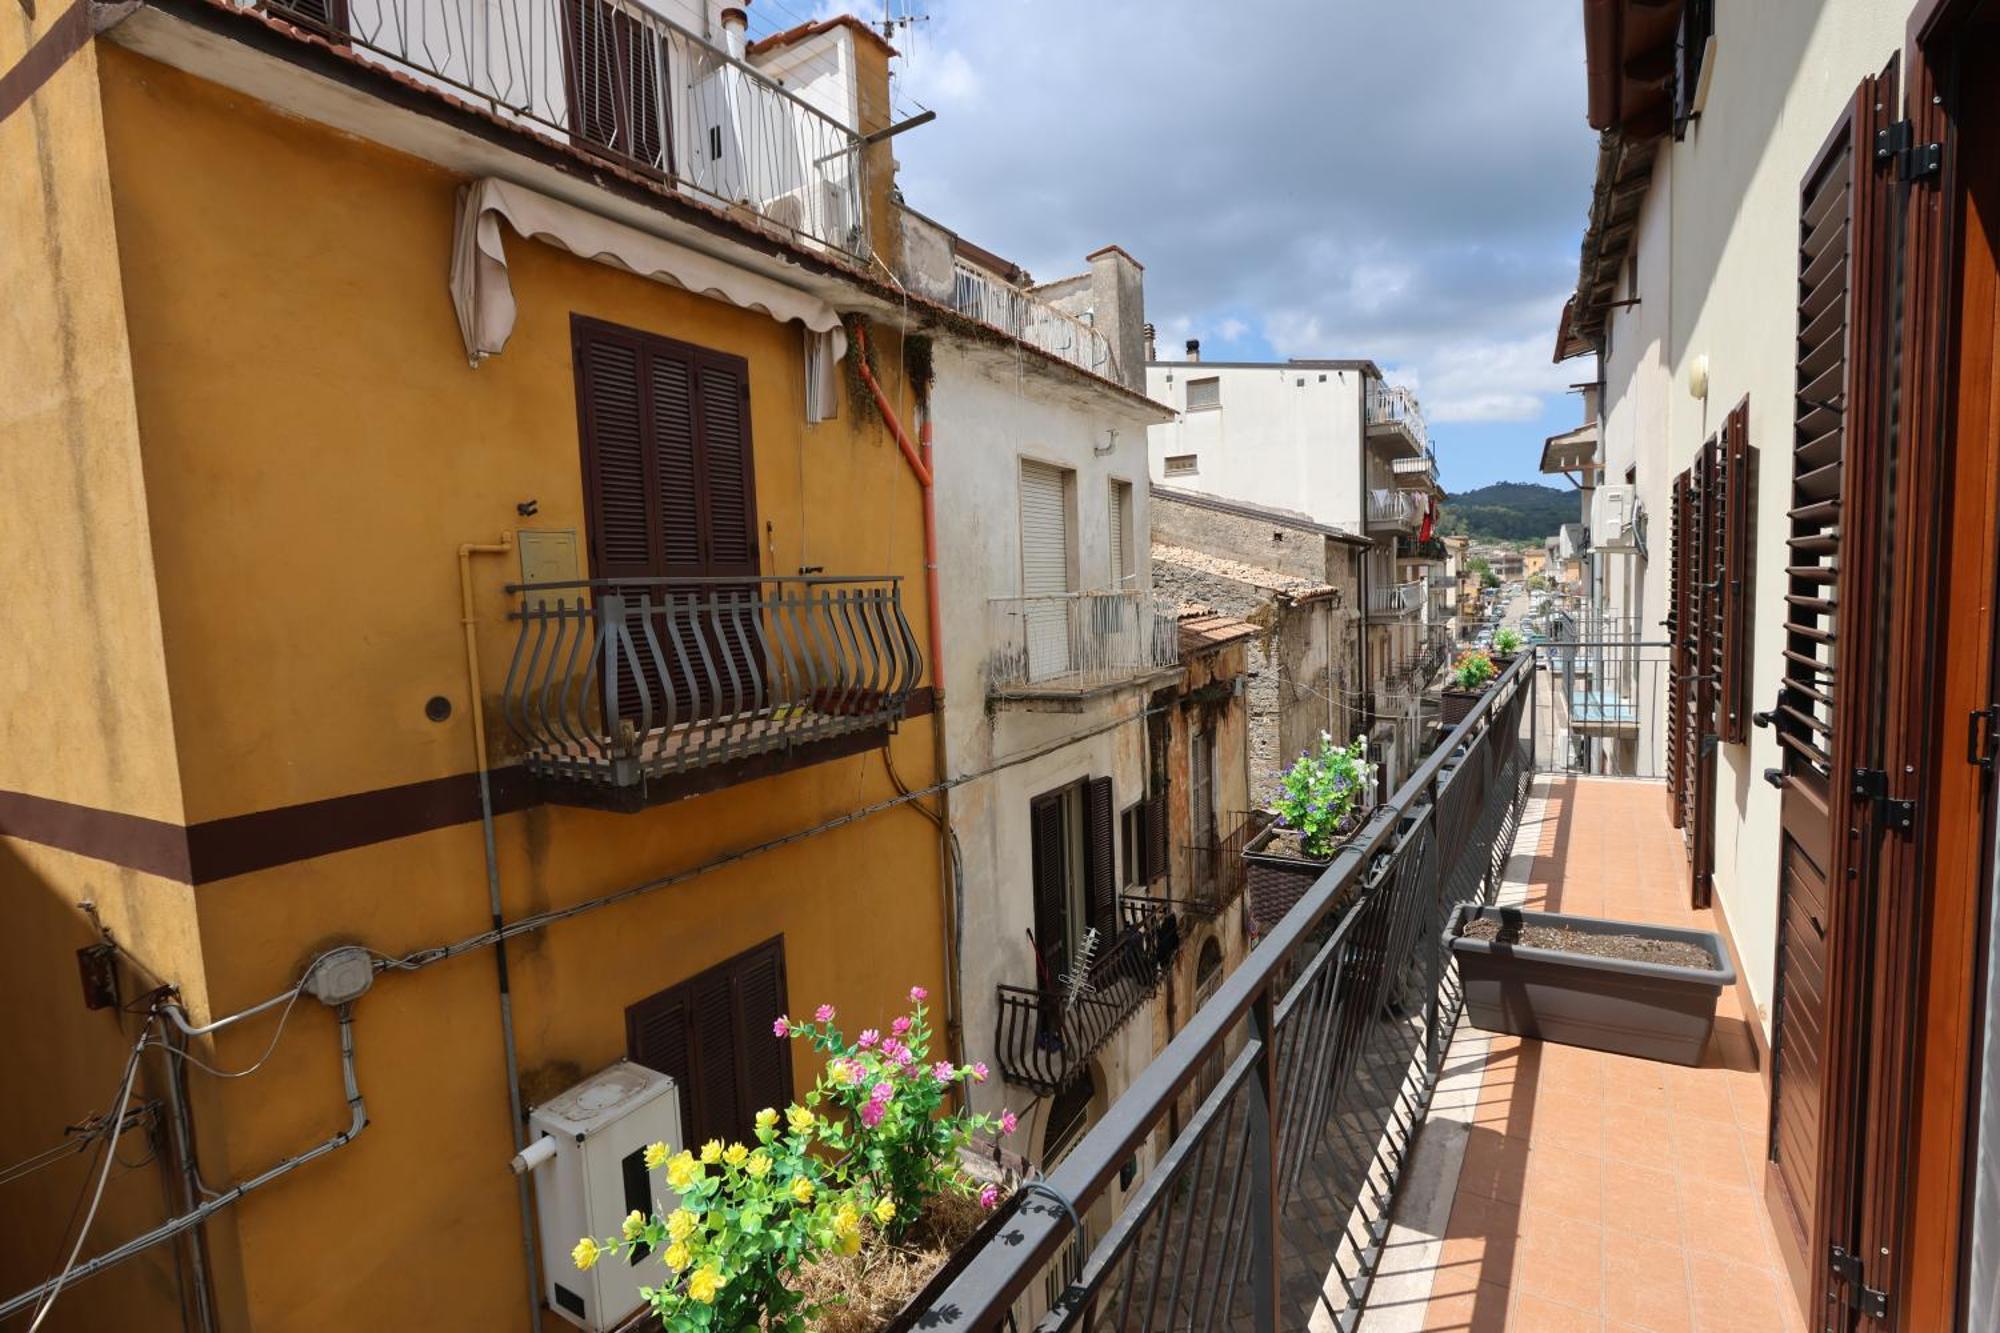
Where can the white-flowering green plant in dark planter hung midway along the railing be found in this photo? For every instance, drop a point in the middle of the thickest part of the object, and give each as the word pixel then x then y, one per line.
pixel 1323 802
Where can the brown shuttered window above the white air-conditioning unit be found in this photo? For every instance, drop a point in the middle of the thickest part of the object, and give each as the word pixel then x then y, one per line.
pixel 713 1036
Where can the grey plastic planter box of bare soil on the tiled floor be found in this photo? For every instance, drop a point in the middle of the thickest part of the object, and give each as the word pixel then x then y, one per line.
pixel 1625 1006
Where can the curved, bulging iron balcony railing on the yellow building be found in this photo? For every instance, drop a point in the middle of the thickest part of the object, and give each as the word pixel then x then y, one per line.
pixel 617 684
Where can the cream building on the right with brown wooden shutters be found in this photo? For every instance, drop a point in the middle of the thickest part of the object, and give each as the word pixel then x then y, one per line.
pixel 1787 281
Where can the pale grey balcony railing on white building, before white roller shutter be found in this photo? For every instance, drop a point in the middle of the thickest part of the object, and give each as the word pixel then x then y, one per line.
pixel 1075 643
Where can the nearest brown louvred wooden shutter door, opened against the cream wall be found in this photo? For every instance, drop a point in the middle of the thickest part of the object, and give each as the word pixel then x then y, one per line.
pixel 1829 708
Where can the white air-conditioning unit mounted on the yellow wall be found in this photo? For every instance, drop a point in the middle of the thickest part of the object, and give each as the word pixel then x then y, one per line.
pixel 597 1176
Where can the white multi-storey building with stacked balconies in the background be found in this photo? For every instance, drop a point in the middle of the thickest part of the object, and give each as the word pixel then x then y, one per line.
pixel 1329 439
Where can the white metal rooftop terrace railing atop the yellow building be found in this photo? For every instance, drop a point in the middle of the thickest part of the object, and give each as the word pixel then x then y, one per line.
pixel 623 83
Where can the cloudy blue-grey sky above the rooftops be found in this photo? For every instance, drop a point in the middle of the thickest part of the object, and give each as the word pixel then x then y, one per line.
pixel 1391 179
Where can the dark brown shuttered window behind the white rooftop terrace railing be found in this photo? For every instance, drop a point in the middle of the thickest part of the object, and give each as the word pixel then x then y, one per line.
pixel 613 77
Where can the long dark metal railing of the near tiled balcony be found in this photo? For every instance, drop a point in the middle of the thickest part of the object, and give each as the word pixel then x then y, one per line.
pixel 1273 1204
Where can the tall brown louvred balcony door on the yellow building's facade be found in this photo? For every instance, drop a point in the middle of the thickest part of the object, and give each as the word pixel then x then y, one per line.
pixel 671 503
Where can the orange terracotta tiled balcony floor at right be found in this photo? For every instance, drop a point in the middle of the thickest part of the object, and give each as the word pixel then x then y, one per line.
pixel 1601 1192
